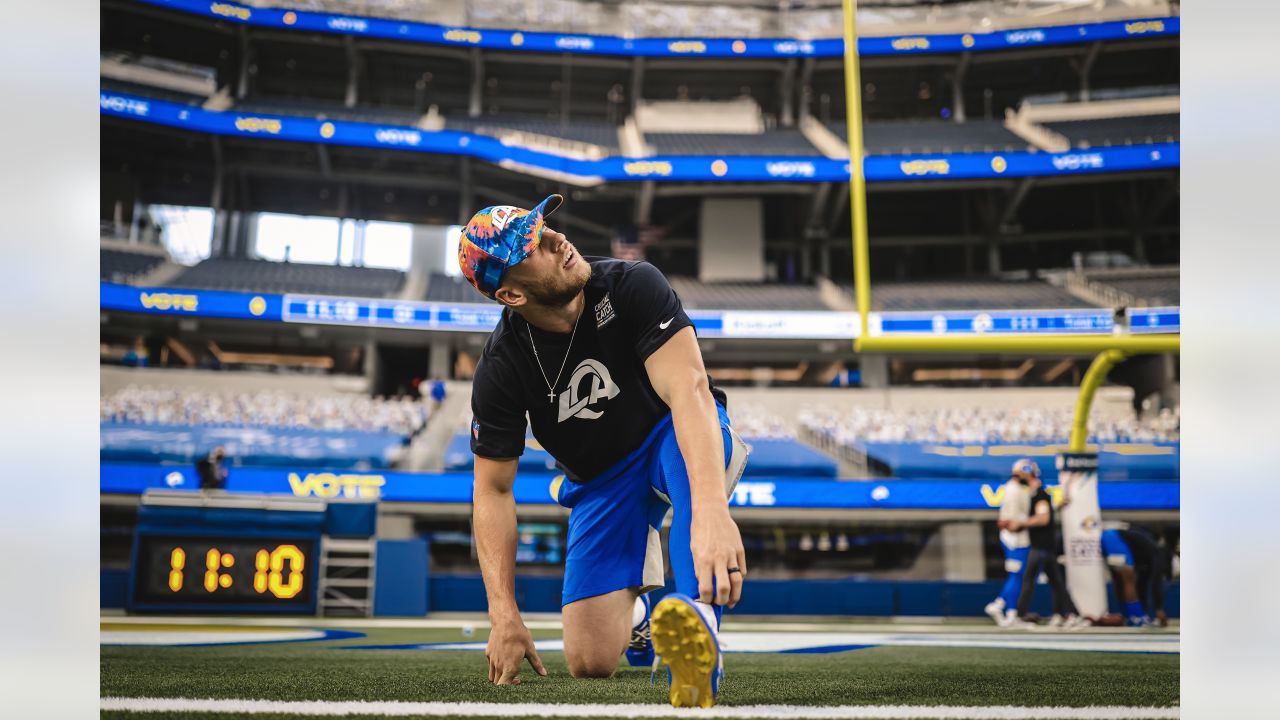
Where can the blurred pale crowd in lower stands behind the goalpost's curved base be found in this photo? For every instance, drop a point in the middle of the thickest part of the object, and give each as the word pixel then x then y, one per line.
pixel 981 426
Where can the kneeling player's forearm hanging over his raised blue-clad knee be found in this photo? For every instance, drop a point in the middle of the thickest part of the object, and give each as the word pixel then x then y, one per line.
pixel 698 434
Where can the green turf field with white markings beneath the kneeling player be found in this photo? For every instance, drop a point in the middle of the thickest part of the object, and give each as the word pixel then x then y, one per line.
pixel 300 668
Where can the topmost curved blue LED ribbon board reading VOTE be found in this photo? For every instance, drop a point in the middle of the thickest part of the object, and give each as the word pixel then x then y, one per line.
pixel 495 39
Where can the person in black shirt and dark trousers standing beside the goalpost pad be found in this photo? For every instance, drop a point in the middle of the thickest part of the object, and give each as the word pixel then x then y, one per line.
pixel 1043 557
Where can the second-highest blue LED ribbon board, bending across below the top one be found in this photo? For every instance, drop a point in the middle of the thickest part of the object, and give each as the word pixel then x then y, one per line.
pixel 660 168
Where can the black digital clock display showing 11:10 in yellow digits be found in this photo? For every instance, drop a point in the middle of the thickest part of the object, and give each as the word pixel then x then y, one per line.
pixel 246 572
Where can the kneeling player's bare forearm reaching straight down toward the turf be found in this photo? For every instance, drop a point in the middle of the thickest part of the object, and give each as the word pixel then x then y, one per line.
pixel 495 526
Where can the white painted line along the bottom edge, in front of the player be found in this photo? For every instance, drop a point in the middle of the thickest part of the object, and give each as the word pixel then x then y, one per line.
pixel 614 712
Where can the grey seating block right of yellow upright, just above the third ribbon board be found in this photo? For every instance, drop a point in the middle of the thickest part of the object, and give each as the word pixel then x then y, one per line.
pixel 971 295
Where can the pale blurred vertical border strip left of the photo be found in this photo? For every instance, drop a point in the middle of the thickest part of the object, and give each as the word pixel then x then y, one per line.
pixel 49 508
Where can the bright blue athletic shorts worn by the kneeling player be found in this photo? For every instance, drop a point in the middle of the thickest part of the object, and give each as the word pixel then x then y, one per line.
pixel 614 528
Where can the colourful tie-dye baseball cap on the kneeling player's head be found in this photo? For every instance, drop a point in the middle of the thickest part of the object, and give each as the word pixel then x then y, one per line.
pixel 500 238
